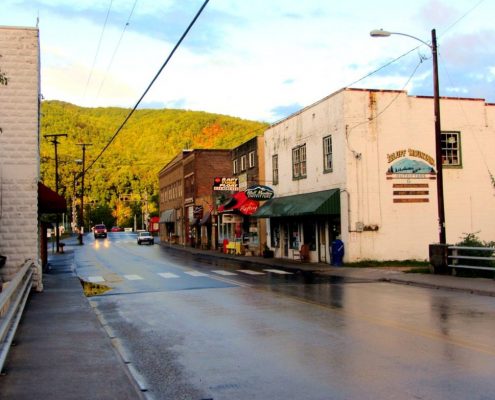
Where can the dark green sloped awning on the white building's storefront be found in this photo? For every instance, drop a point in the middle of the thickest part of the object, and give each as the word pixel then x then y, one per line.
pixel 326 202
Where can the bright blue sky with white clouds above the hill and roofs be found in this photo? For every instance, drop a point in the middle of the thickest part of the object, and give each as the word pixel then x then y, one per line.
pixel 254 59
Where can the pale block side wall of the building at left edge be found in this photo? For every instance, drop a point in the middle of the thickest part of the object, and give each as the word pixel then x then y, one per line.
pixel 19 148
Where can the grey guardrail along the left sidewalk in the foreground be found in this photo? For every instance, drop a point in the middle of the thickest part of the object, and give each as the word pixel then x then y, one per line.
pixel 12 302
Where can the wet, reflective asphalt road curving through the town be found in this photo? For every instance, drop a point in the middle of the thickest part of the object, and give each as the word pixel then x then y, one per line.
pixel 207 329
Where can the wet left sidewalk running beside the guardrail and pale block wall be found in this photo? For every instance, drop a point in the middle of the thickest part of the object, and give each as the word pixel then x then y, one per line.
pixel 62 351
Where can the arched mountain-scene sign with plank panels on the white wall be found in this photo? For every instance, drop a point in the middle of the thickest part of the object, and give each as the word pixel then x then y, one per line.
pixel 404 167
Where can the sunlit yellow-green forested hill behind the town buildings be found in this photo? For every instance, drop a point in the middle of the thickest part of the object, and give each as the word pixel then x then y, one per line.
pixel 149 140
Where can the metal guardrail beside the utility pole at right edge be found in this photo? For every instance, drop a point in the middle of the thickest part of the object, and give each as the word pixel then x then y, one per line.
pixel 471 261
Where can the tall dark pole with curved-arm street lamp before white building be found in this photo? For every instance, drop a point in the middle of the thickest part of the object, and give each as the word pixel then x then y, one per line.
pixel 438 131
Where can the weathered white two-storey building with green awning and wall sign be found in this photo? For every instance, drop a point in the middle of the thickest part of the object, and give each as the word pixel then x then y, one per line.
pixel 361 163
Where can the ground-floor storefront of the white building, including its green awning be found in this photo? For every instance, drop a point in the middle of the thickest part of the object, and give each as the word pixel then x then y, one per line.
pixel 311 219
